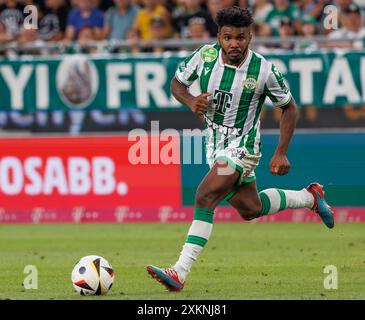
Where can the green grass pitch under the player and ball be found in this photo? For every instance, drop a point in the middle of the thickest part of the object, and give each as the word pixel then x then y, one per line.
pixel 241 260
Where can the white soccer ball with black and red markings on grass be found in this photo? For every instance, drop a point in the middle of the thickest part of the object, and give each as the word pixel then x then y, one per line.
pixel 92 275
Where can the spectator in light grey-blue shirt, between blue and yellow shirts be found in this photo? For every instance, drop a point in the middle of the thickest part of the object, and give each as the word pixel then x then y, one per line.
pixel 119 19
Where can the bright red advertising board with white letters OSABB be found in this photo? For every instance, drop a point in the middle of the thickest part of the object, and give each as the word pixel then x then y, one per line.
pixel 91 172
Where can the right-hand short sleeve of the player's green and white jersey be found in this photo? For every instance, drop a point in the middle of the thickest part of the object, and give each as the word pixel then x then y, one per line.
pixel 276 88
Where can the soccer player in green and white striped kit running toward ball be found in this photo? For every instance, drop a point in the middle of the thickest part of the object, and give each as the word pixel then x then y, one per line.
pixel 234 82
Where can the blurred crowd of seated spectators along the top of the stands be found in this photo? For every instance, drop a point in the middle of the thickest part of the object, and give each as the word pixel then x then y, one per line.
pixel 85 21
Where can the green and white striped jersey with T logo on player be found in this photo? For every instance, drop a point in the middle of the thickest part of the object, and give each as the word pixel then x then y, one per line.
pixel 238 93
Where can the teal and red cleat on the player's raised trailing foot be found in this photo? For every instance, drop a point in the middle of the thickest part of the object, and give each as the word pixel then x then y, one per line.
pixel 320 205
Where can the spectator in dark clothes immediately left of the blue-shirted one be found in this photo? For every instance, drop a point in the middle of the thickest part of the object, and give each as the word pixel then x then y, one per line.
pixel 52 23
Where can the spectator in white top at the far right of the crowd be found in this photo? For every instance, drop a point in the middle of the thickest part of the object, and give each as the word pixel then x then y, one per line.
pixel 352 29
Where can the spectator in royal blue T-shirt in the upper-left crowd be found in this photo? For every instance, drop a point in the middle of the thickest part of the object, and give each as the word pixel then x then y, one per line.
pixel 85 14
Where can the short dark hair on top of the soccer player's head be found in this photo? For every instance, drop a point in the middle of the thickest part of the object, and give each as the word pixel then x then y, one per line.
pixel 234 17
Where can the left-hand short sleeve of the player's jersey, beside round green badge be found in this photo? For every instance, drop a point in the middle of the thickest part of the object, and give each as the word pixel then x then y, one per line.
pixel 188 70
